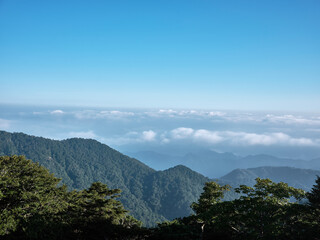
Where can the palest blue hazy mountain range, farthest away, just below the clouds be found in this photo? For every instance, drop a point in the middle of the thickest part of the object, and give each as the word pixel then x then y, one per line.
pixel 214 165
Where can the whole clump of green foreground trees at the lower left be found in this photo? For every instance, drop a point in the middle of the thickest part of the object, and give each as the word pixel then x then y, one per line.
pixel 34 206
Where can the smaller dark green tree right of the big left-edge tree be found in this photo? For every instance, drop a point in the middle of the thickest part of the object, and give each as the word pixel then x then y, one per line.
pixel 95 213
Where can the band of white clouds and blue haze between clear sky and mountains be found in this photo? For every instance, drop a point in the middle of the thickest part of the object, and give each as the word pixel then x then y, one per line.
pixel 295 135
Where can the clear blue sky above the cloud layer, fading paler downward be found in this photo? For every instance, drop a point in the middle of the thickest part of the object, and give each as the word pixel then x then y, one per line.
pixel 242 55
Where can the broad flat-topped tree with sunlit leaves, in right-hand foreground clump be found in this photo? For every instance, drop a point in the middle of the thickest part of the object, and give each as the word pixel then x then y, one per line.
pixel 265 210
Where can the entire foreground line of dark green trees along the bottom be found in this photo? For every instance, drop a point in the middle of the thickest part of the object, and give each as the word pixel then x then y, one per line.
pixel 34 205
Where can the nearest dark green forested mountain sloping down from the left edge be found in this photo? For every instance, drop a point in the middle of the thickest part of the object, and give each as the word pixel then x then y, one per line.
pixel 150 195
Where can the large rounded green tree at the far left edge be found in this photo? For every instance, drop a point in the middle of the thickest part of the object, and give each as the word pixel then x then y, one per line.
pixel 30 199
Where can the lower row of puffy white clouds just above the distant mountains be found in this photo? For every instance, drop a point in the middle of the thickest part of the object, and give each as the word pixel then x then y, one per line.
pixel 204 136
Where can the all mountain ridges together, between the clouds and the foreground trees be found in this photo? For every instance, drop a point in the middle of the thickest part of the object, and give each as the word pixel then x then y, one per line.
pixel 151 196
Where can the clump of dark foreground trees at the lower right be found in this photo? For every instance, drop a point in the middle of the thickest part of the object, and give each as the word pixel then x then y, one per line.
pixel 264 211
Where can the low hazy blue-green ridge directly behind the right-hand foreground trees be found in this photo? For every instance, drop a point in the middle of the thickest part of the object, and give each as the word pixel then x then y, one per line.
pixel 295 177
